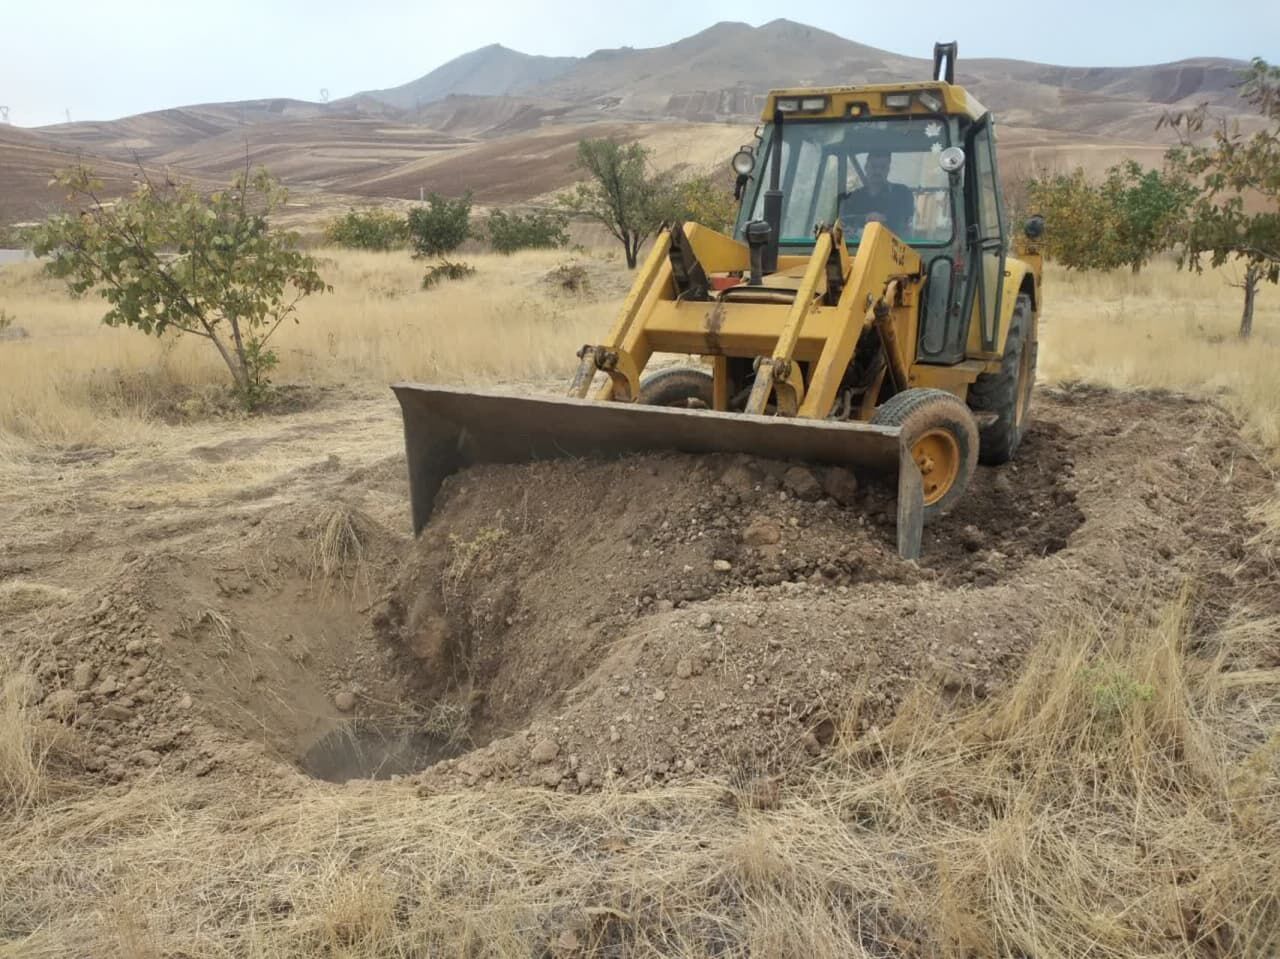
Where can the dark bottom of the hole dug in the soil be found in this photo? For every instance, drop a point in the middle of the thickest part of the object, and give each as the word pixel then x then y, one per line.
pixel 365 750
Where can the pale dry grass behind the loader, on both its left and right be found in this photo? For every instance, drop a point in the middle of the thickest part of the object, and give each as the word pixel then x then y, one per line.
pixel 74 381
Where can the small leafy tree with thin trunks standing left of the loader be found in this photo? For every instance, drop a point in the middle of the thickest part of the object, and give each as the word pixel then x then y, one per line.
pixel 170 261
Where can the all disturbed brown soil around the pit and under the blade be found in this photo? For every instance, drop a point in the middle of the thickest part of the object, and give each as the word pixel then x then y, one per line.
pixel 580 624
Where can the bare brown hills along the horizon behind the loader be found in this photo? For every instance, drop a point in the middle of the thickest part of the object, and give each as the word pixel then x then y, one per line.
pixel 505 124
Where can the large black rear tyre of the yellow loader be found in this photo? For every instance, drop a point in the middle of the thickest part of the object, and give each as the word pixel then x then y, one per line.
pixel 1009 392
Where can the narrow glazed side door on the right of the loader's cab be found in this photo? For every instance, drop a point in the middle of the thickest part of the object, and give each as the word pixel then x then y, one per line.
pixel 985 235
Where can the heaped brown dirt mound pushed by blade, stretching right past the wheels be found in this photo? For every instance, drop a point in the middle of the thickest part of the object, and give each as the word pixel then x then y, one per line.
pixel 665 618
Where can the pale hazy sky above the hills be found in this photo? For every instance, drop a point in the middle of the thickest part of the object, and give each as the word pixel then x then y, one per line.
pixel 103 60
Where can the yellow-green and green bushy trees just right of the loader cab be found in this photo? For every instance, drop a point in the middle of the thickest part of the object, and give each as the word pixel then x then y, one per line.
pixel 1124 221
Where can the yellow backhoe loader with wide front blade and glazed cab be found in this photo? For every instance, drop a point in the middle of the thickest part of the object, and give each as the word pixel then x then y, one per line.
pixel 867 312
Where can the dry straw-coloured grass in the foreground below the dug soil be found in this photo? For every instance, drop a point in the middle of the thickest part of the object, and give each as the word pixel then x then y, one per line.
pixel 1094 810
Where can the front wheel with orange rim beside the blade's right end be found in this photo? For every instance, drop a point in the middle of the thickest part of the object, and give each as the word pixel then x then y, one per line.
pixel 943 436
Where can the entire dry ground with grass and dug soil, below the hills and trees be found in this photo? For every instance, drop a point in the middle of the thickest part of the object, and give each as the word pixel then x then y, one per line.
pixel 1059 737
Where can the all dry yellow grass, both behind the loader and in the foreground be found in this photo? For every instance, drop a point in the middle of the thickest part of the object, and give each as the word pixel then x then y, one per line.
pixel 1121 800
